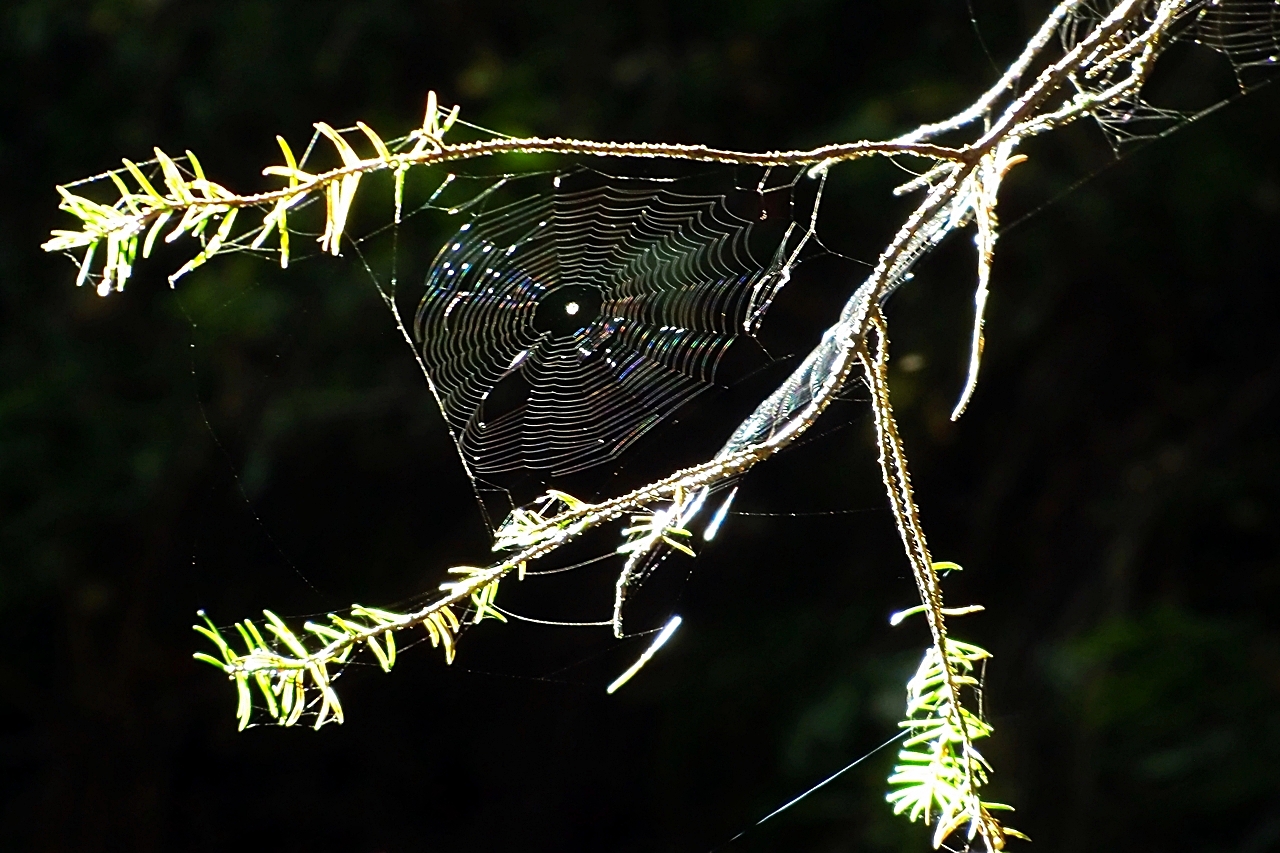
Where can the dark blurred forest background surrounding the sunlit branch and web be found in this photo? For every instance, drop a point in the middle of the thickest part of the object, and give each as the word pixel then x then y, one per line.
pixel 1113 491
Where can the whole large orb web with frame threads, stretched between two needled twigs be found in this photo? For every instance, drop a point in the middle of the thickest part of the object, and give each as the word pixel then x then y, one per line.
pixel 575 311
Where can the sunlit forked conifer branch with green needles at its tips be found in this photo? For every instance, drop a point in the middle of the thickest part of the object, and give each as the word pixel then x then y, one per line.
pixel 1103 67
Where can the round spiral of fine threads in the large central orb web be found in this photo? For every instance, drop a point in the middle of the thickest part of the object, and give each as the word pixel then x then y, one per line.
pixel 563 327
